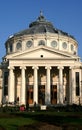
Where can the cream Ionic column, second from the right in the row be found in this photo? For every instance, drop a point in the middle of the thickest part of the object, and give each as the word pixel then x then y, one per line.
pixel 60 85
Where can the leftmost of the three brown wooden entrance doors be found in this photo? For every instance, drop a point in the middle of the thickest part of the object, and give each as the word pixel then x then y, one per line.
pixel 30 94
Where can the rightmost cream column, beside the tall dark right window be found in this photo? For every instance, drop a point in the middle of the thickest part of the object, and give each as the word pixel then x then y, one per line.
pixel 71 86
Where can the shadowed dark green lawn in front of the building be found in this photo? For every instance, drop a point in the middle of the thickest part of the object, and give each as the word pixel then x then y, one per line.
pixel 11 121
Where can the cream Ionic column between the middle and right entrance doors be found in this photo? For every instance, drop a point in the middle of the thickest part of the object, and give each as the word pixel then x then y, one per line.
pixel 47 88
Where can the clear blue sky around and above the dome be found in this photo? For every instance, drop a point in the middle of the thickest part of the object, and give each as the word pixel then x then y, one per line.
pixel 16 15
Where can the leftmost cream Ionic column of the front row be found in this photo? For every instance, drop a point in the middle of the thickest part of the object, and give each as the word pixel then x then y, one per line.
pixel 11 89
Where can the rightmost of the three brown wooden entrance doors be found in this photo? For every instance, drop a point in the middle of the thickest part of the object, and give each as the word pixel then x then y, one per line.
pixel 54 94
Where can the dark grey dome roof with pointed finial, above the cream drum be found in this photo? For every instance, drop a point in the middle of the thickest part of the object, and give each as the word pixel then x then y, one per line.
pixel 41 26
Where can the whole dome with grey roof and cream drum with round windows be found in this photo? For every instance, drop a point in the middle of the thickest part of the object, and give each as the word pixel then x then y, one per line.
pixel 36 35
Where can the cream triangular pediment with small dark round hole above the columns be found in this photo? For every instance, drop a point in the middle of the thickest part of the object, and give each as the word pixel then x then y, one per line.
pixel 40 52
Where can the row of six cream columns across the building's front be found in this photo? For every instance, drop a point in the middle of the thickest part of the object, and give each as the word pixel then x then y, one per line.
pixel 60 90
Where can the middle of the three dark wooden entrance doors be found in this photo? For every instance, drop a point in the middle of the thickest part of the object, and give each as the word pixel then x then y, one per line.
pixel 41 94
